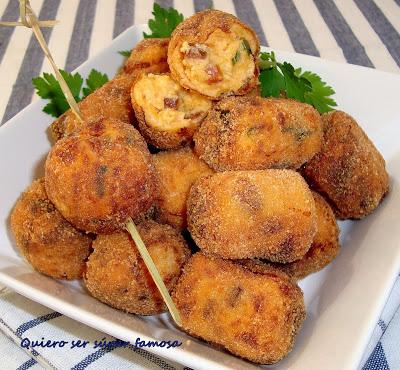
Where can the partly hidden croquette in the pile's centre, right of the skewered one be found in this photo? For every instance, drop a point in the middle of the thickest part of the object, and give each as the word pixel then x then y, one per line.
pixel 177 170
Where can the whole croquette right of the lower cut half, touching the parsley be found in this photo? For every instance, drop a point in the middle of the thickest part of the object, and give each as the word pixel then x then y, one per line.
pixel 252 133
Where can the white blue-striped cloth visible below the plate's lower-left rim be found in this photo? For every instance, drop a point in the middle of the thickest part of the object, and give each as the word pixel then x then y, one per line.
pixel 23 322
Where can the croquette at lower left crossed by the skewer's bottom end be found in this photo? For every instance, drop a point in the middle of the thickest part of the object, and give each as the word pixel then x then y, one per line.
pixel 117 275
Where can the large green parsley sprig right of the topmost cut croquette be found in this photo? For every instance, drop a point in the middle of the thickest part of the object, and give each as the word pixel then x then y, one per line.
pixel 282 79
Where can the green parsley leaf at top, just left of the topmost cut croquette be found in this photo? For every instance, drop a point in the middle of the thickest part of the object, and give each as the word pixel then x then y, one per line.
pixel 164 22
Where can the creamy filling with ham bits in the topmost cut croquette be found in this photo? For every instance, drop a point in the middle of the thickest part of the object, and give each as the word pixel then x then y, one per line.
pixel 222 64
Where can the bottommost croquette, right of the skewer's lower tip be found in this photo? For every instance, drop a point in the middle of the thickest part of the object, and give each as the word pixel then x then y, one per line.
pixel 254 313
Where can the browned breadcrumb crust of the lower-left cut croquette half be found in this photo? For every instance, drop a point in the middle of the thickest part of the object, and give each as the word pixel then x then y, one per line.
pixel 161 139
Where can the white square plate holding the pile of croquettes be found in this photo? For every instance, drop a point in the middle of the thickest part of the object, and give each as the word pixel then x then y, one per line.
pixel 343 301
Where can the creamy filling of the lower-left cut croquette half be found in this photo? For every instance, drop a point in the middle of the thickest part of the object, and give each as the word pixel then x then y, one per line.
pixel 166 105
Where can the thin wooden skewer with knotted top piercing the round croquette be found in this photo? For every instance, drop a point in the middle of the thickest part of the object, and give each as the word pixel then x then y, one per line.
pixel 30 20
